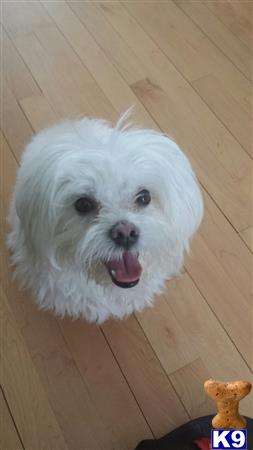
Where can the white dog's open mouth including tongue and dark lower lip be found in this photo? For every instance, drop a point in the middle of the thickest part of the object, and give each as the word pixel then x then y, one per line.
pixel 125 272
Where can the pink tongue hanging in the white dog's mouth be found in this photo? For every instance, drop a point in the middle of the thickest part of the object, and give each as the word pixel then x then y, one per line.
pixel 126 269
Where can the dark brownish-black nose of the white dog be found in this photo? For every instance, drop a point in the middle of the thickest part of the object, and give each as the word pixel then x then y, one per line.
pixel 124 234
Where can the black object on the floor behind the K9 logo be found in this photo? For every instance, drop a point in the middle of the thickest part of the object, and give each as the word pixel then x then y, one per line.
pixel 182 438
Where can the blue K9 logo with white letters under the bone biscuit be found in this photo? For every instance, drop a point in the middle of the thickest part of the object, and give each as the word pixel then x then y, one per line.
pixel 222 439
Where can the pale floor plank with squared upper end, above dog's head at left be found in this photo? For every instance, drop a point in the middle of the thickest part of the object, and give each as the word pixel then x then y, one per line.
pixel 63 79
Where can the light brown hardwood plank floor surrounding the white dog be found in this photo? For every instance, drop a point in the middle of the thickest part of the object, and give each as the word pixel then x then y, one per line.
pixel 186 65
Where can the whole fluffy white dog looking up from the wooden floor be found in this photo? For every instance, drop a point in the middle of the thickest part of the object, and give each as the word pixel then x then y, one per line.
pixel 101 216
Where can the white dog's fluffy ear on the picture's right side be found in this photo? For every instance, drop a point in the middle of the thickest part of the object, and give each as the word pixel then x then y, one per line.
pixel 167 170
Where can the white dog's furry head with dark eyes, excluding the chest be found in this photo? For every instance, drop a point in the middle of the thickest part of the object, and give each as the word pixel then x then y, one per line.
pixel 110 203
